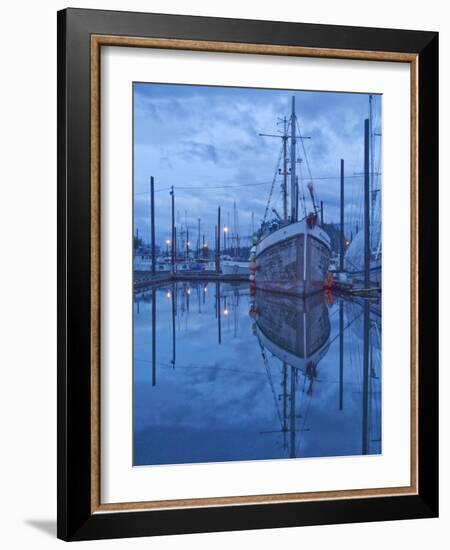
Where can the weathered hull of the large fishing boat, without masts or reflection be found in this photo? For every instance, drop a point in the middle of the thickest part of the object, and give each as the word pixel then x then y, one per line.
pixel 293 260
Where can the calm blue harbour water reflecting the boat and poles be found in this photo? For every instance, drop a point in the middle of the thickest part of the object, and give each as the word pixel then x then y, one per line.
pixel 221 376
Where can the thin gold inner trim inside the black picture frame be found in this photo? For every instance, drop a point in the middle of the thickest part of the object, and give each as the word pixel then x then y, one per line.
pixel 97 41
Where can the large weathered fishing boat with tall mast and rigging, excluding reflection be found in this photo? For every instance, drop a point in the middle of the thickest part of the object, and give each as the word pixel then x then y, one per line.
pixel 292 255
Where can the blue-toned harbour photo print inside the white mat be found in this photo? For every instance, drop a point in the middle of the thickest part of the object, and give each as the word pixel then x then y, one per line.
pixel 257 274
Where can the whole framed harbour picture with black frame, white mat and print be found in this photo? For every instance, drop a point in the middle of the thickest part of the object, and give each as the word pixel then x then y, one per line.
pixel 247 287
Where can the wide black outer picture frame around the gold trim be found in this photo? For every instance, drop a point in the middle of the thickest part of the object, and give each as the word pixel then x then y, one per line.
pixel 75 519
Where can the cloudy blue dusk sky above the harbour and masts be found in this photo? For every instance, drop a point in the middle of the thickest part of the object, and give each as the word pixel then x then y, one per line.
pixel 205 142
